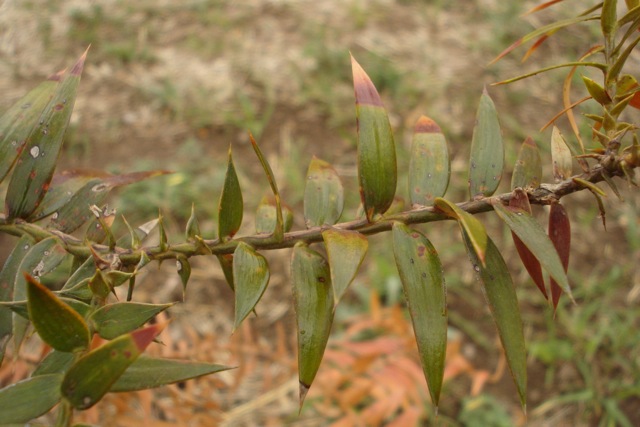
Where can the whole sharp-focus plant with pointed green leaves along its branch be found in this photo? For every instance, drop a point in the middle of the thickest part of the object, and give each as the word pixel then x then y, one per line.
pixel 43 209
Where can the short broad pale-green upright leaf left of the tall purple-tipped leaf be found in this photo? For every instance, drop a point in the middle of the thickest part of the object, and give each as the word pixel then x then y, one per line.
pixel 323 195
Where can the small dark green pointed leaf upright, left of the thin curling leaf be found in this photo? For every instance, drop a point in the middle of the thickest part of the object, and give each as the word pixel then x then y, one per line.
pixel 230 208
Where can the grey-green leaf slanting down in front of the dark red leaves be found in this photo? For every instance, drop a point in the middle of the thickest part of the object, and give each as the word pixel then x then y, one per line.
pixel 535 238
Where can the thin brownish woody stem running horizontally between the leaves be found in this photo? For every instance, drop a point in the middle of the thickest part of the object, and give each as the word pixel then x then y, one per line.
pixel 544 195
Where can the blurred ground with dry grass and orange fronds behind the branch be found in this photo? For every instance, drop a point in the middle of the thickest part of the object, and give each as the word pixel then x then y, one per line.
pixel 171 84
